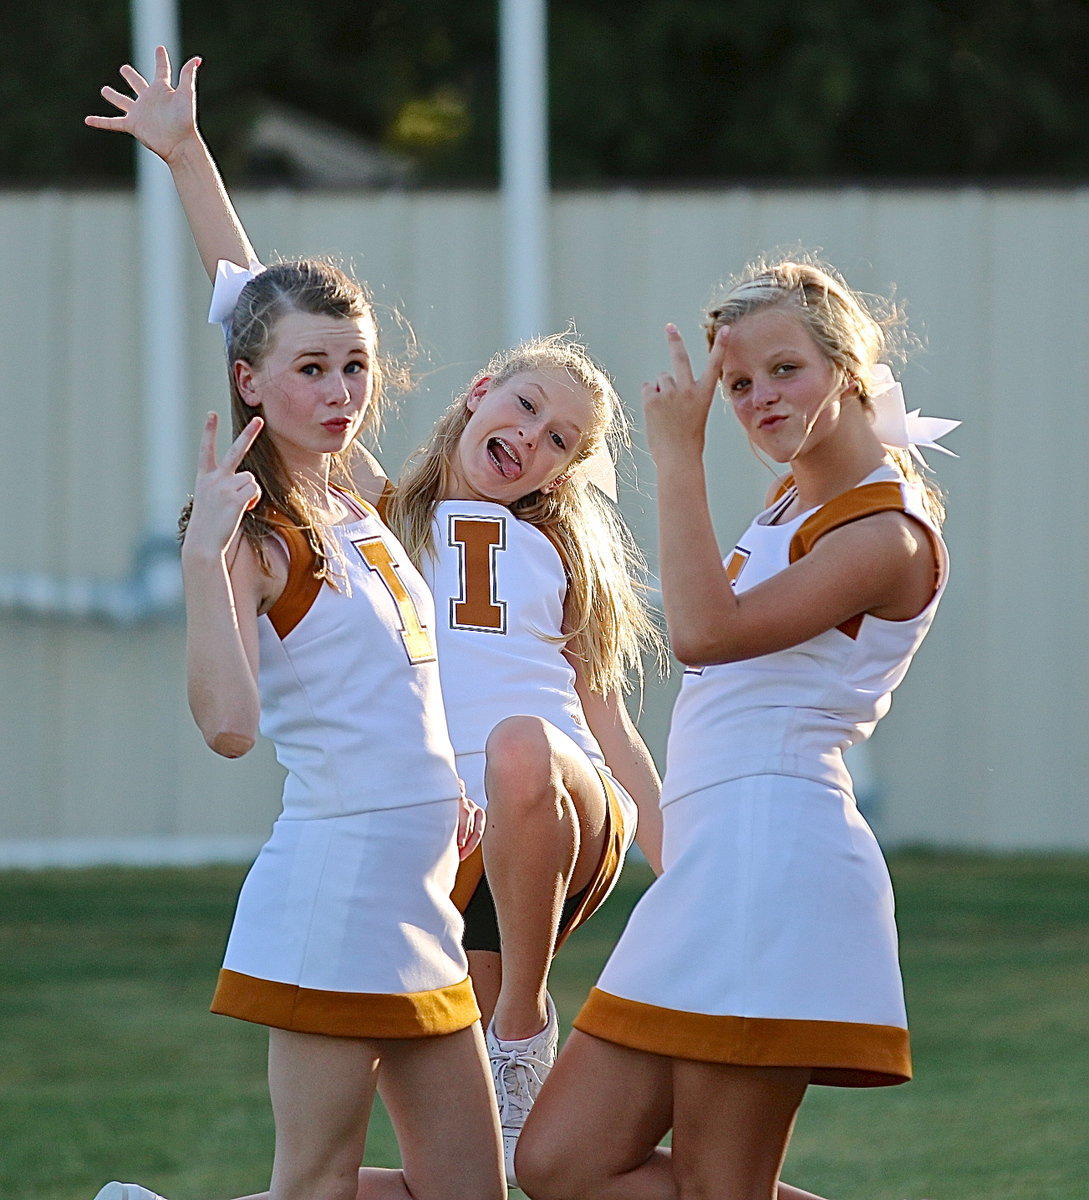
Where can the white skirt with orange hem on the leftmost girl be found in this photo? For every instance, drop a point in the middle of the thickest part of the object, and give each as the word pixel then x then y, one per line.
pixel 345 926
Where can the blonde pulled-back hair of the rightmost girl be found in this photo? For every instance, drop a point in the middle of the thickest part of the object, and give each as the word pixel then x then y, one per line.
pixel 855 332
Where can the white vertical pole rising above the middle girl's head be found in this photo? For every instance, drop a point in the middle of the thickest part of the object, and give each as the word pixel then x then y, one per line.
pixel 524 118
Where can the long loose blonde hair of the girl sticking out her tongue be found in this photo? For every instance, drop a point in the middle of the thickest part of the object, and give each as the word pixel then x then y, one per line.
pixel 609 623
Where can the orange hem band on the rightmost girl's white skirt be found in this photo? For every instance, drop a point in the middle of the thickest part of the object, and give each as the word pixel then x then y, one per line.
pixel 841 1054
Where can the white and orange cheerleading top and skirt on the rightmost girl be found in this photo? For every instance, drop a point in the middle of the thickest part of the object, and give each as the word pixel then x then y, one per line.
pixel 769 940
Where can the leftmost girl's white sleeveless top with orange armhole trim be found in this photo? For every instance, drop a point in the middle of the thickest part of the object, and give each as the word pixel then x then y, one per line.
pixel 348 677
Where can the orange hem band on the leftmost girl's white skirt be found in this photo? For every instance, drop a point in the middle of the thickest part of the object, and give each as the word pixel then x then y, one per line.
pixel 285 1006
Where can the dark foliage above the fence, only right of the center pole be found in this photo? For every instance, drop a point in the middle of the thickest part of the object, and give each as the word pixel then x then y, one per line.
pixel 783 91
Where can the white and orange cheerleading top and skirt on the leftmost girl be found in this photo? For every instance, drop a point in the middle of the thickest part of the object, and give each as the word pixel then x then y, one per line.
pixel 345 925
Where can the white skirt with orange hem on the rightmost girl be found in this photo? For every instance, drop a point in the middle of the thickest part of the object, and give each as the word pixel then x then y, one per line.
pixel 769 940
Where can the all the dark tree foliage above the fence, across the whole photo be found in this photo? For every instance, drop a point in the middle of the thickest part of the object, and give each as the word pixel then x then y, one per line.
pixel 664 92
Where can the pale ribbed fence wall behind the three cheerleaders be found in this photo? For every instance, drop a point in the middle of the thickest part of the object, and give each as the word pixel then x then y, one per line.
pixel 985 746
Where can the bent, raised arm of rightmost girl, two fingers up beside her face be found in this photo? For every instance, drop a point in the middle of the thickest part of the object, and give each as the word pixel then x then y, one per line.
pixel 882 565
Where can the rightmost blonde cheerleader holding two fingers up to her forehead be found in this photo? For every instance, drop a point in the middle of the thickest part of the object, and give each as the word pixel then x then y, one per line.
pixel 765 958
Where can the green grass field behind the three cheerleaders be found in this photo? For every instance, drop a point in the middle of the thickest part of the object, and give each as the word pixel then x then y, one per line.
pixel 111 1065
